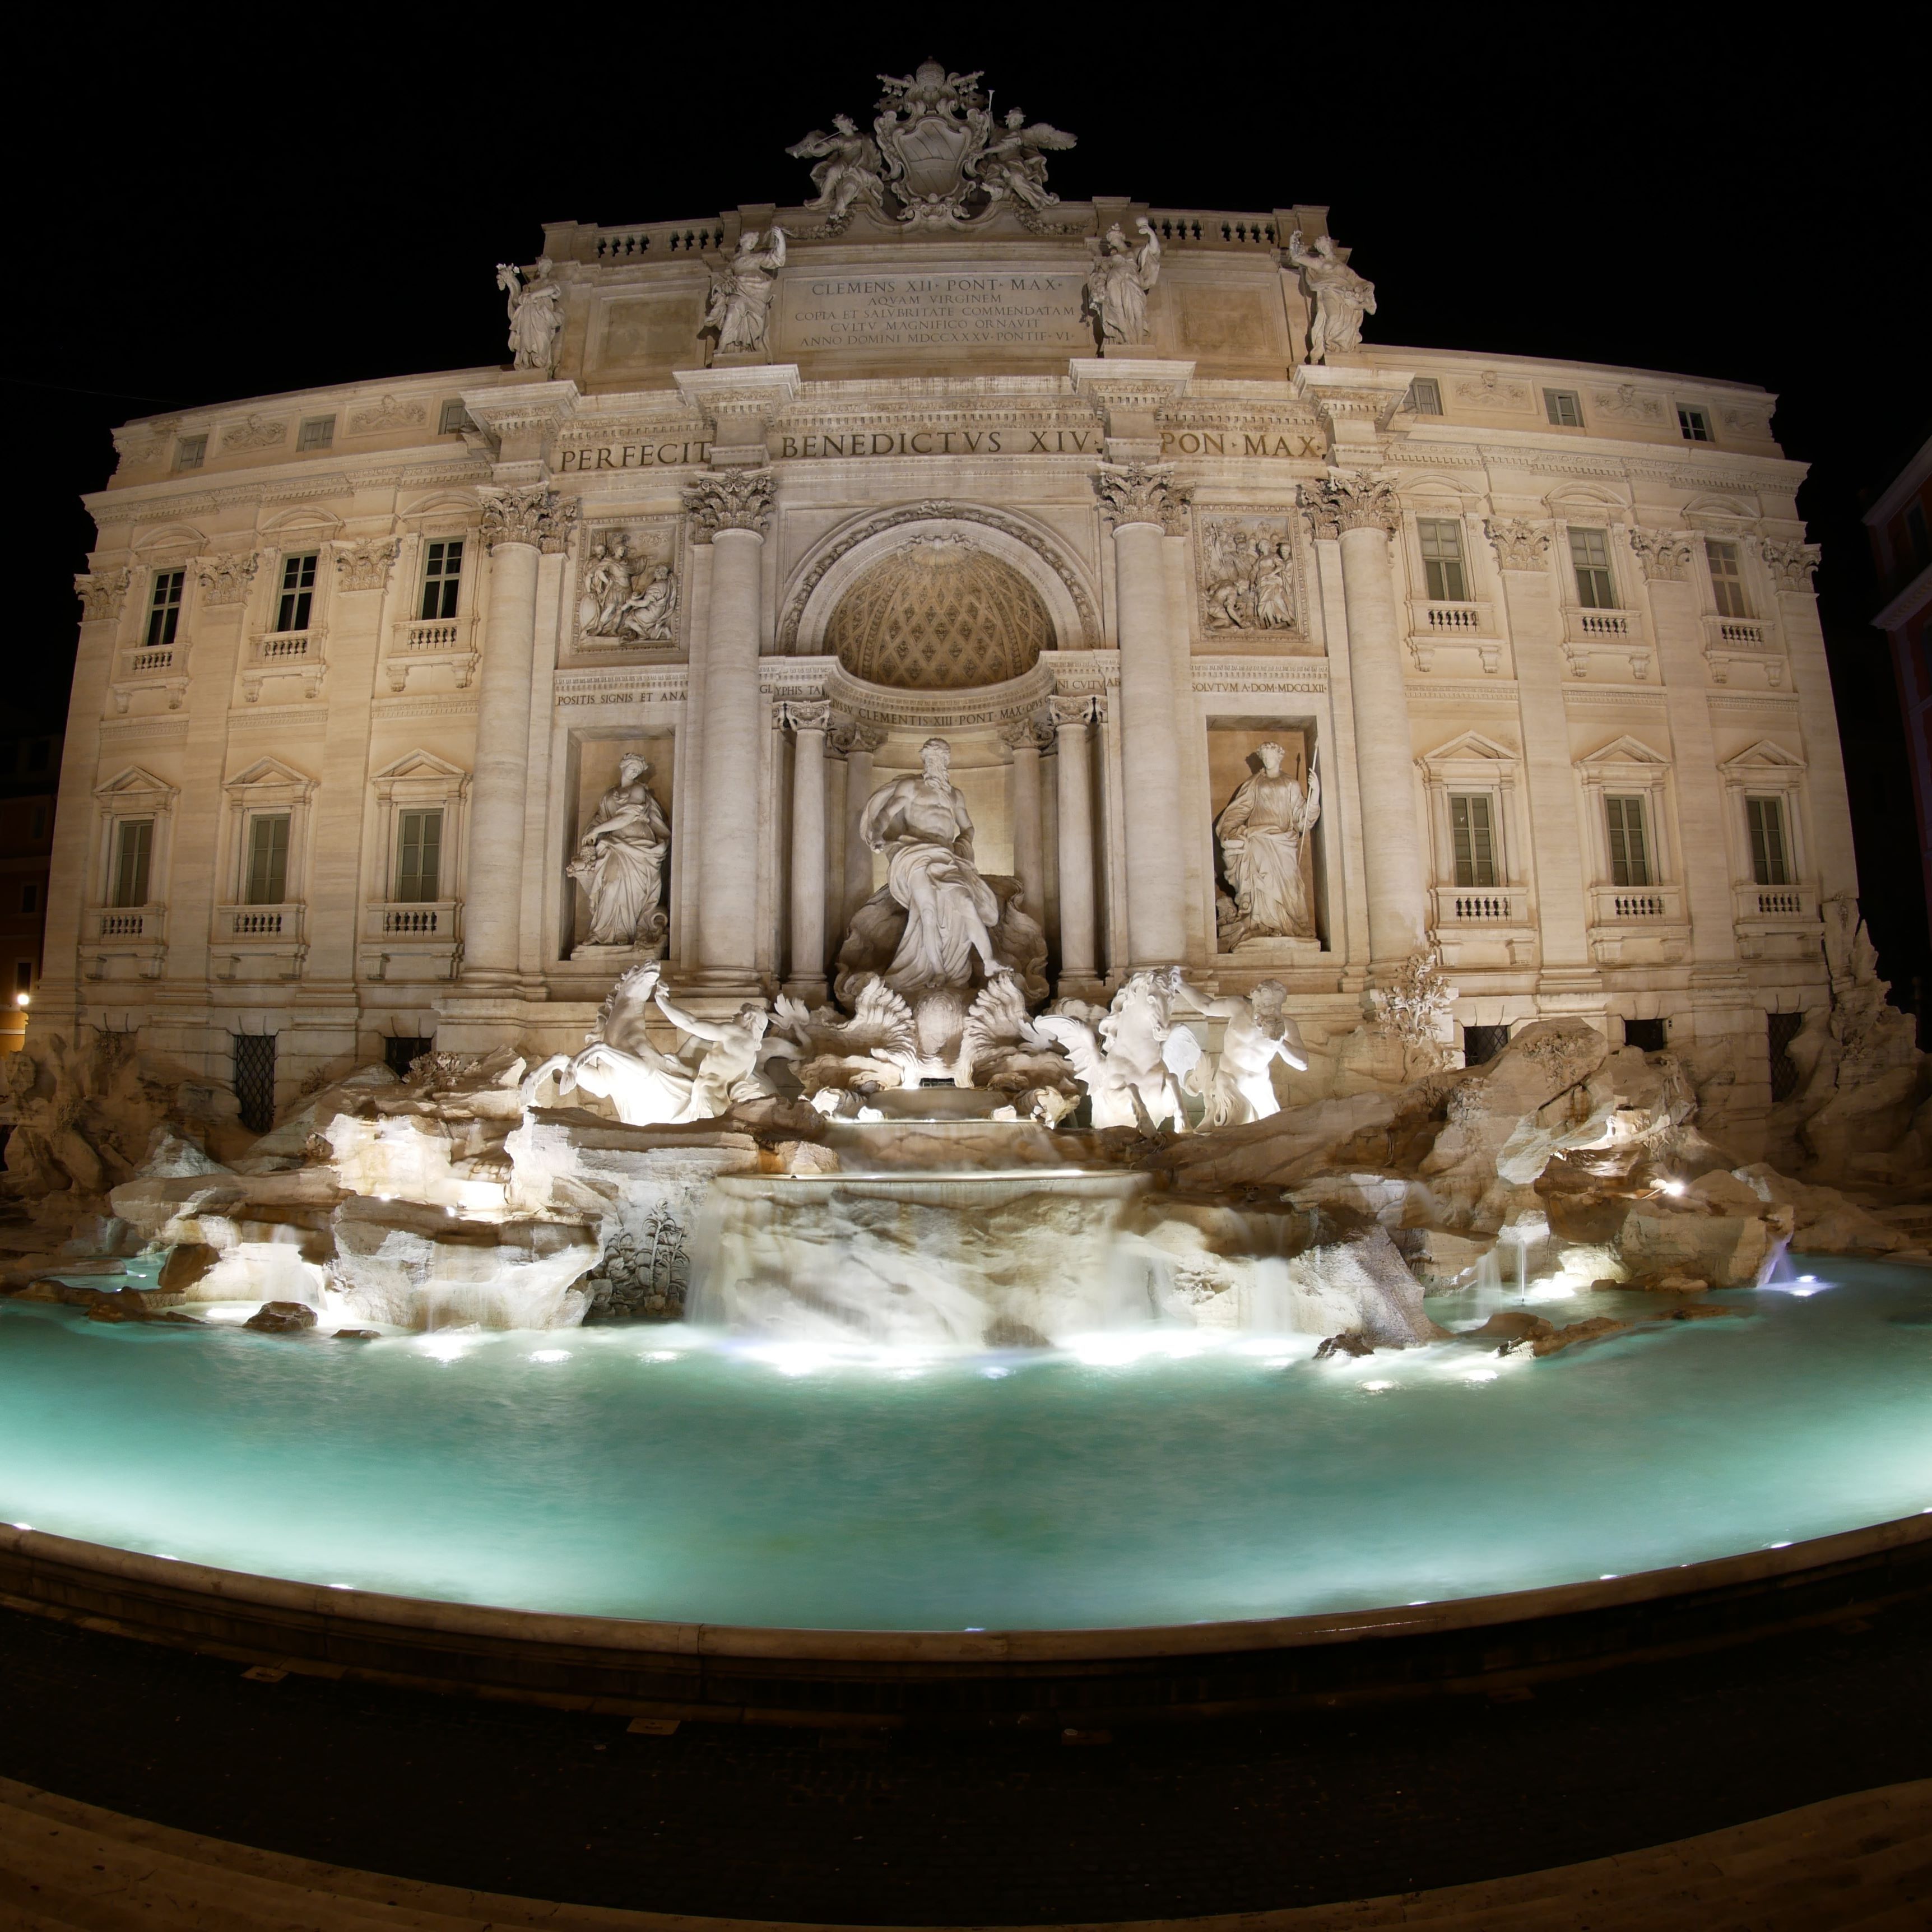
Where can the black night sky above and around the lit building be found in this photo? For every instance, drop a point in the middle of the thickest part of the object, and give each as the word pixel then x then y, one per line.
pixel 204 212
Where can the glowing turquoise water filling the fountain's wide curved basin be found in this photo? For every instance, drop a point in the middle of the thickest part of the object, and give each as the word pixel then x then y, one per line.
pixel 1151 1477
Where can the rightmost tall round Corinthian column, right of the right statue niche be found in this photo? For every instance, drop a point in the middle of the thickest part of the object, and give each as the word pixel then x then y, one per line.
pixel 1359 513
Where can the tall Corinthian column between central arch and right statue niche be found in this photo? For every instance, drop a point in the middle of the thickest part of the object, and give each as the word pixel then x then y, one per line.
pixel 1145 509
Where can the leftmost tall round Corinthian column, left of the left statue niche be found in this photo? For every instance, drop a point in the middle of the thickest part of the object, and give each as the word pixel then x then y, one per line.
pixel 517 526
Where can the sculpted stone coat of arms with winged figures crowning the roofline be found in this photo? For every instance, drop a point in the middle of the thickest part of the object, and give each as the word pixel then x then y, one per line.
pixel 936 156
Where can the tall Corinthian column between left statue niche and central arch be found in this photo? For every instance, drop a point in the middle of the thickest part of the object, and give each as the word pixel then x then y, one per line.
pixel 731 511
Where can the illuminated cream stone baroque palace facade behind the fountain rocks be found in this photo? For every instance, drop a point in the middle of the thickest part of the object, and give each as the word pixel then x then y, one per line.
pixel 1108 497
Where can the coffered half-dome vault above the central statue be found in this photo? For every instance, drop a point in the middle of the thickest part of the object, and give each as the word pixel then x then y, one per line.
pixel 940 615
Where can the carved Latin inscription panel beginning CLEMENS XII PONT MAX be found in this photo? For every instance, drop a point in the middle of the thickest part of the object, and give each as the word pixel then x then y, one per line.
pixel 917 310
